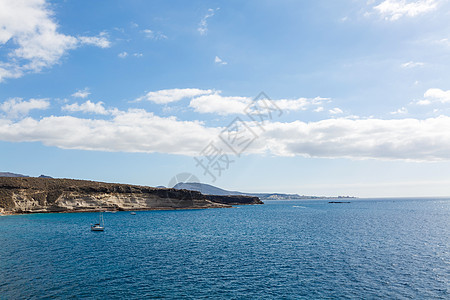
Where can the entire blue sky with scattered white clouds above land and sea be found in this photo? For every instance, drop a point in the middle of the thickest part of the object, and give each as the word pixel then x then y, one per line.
pixel 310 97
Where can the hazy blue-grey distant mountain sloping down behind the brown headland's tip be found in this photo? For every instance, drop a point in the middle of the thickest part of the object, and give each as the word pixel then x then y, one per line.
pixel 208 189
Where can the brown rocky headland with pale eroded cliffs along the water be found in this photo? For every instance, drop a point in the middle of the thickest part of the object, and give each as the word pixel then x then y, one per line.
pixel 32 195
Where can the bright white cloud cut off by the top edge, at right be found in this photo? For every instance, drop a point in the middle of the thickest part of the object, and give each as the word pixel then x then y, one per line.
pixel 395 9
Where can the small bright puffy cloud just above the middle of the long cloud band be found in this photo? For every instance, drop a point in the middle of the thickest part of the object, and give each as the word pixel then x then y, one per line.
pixel 215 103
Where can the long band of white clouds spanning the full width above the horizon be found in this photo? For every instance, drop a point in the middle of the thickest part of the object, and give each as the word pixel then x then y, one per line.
pixel 137 130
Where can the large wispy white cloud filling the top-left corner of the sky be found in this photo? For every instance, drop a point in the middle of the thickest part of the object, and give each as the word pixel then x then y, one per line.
pixel 30 35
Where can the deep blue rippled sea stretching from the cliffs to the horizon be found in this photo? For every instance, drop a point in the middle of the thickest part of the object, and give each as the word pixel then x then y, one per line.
pixel 369 248
